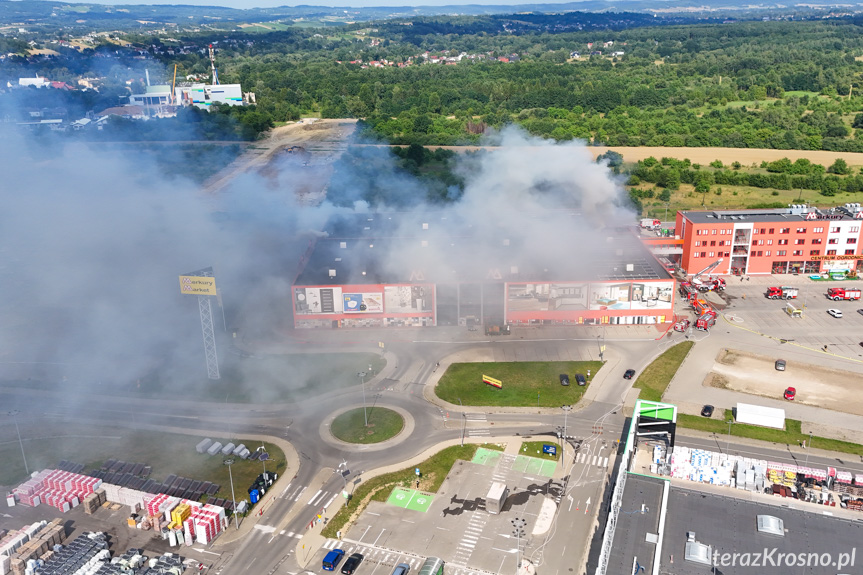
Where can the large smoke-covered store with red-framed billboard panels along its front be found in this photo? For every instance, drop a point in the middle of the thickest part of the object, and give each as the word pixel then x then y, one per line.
pixel 388 270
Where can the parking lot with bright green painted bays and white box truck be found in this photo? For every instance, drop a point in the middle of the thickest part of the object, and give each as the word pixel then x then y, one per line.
pixel 454 524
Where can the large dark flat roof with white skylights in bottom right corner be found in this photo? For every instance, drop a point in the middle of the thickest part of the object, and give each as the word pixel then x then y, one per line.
pixel 729 525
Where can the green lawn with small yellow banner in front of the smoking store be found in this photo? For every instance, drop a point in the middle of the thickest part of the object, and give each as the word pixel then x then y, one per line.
pixel 525 384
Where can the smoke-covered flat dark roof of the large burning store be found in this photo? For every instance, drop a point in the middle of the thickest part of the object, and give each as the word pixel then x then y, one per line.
pixel 436 248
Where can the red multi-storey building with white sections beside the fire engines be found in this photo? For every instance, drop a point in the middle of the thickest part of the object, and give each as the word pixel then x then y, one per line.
pixel 797 239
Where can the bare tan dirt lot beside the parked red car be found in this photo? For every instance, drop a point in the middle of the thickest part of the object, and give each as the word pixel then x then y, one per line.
pixel 817 386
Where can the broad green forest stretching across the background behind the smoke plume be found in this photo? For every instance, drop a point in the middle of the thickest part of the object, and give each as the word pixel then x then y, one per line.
pixel 783 85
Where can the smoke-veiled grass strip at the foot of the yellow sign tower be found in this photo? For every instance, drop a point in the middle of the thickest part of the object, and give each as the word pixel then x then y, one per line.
pixel 261 379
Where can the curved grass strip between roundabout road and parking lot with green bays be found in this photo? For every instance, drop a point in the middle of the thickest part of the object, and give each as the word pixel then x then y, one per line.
pixel 434 470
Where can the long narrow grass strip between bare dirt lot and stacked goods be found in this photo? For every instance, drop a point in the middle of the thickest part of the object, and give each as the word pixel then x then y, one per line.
pixel 791 435
